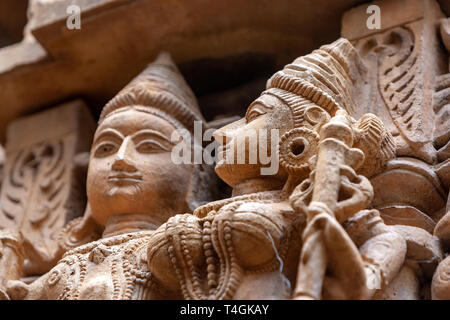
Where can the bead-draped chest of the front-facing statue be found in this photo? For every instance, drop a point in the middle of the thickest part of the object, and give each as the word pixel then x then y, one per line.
pixel 110 268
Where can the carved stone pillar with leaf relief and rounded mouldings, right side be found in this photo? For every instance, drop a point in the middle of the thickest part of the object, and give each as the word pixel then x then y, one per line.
pixel 406 89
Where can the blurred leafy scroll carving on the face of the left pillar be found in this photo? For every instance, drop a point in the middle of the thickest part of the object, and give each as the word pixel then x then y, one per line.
pixel 35 192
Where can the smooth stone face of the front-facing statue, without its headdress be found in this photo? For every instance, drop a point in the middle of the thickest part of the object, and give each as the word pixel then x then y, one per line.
pixel 131 171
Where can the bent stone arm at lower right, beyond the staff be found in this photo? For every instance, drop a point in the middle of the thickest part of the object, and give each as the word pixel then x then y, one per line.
pixel 393 252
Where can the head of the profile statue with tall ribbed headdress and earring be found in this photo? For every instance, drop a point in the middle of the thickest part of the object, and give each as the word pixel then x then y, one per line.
pixel 297 102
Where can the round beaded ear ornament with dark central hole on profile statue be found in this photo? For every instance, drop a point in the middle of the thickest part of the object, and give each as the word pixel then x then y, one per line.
pixel 296 148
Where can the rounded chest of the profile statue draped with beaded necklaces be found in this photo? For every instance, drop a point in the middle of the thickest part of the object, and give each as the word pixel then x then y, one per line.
pixel 230 239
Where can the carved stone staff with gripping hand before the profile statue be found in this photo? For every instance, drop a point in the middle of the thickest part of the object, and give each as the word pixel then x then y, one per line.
pixel 337 193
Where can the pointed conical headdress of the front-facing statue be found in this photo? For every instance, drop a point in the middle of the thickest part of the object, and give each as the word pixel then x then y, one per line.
pixel 160 86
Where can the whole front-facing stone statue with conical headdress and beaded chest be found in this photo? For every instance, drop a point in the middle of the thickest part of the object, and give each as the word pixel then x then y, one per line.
pixel 131 191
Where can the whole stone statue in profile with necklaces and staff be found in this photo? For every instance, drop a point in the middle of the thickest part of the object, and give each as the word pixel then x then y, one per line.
pixel 249 246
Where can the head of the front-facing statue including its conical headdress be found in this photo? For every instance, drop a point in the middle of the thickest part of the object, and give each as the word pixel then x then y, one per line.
pixel 130 168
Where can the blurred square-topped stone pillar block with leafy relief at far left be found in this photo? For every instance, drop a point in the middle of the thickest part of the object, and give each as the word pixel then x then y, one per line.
pixel 44 184
